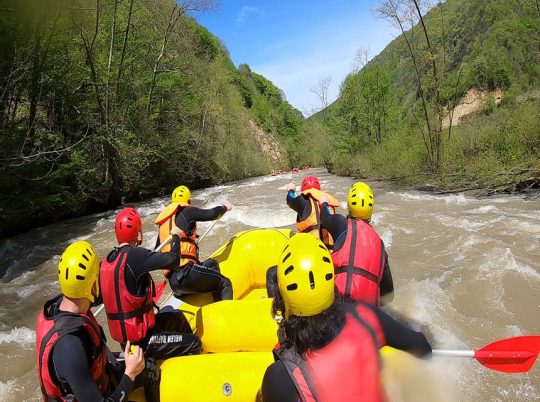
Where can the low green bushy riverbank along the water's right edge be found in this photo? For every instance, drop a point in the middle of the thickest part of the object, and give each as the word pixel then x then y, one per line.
pixel 484 155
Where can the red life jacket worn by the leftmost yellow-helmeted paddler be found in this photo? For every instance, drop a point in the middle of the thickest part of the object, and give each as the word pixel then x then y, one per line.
pixel 50 328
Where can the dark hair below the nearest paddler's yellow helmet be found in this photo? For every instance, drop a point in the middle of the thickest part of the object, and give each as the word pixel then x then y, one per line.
pixel 314 332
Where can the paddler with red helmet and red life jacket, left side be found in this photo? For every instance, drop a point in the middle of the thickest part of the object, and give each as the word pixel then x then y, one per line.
pixel 128 291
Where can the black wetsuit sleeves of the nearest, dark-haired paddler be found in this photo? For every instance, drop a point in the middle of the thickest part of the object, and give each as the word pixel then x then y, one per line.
pixel 278 386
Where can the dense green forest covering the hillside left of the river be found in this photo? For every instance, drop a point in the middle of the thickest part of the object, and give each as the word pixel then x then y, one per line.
pixel 109 101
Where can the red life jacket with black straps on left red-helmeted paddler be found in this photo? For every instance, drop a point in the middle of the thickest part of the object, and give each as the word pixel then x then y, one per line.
pixel 130 317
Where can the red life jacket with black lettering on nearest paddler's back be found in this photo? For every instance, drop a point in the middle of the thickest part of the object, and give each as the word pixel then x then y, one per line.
pixel 347 369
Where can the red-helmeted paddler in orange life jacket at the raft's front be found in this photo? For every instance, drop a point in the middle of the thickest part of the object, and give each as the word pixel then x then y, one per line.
pixel 307 207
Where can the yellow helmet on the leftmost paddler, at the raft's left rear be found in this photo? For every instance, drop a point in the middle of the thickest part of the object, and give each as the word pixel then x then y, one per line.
pixel 78 271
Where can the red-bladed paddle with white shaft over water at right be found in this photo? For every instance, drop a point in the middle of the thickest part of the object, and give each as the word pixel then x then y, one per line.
pixel 511 355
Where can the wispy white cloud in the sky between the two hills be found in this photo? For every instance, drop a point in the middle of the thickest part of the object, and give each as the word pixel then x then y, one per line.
pixel 301 62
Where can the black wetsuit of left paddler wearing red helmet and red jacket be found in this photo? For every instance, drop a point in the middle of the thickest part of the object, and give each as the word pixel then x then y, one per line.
pixel 172 335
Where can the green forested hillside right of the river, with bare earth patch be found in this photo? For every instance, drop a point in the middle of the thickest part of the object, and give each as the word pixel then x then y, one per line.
pixel 394 115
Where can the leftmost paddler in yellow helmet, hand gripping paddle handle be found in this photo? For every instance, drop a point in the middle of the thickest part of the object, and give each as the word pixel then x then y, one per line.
pixel 71 349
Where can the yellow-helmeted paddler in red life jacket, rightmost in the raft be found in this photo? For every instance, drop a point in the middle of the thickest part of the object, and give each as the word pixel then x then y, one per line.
pixel 360 259
